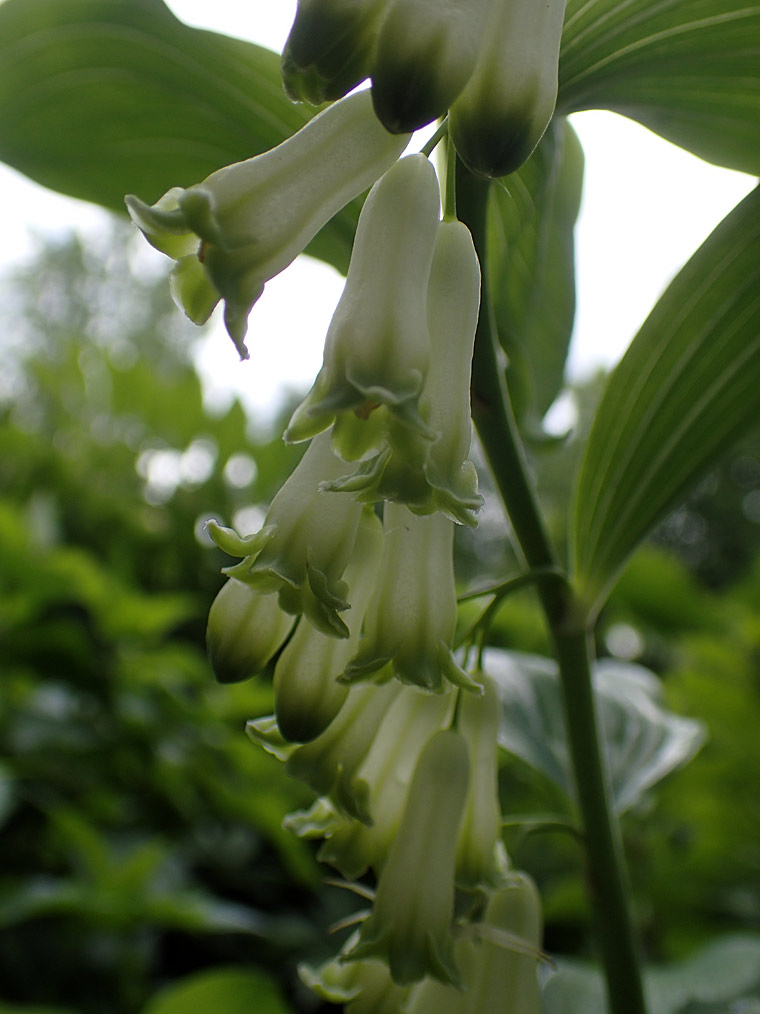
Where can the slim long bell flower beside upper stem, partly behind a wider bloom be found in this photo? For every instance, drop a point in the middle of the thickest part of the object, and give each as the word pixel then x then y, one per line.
pixel 447 481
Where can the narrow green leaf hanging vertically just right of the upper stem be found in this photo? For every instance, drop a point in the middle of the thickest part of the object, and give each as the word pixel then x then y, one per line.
pixel 533 268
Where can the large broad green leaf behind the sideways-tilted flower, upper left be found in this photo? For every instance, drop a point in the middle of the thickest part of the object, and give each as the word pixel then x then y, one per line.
pixel 104 98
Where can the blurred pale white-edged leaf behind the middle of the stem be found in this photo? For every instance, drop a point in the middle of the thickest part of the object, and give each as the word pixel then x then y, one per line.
pixel 644 743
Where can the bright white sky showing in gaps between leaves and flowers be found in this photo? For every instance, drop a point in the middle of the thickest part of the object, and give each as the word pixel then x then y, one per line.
pixel 647 206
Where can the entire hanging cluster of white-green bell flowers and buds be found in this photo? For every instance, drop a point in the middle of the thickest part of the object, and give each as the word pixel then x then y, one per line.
pixel 347 593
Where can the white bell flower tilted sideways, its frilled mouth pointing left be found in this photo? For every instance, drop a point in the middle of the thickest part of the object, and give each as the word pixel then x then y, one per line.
pixel 247 223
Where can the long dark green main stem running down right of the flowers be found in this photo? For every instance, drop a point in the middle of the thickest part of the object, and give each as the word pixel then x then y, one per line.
pixel 497 429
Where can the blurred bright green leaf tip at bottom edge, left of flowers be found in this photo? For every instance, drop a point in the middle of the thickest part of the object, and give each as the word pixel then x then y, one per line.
pixel 223 991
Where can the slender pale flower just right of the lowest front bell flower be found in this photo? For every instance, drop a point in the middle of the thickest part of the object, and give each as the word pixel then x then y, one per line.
pixel 481 855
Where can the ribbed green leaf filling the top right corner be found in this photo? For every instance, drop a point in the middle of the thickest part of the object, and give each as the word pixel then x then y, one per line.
pixel 687 69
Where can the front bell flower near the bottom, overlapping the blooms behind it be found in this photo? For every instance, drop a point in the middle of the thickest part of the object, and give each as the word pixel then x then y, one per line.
pixel 411 923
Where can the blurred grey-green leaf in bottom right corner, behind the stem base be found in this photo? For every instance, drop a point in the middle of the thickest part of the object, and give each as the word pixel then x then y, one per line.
pixel 722 978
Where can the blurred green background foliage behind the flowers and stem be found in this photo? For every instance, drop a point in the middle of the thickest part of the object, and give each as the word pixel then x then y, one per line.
pixel 141 831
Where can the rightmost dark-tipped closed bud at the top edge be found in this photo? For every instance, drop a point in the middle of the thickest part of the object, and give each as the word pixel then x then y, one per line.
pixel 509 101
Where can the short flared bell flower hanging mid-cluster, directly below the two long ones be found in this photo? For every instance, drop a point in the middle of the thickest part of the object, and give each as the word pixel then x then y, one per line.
pixel 411 620
